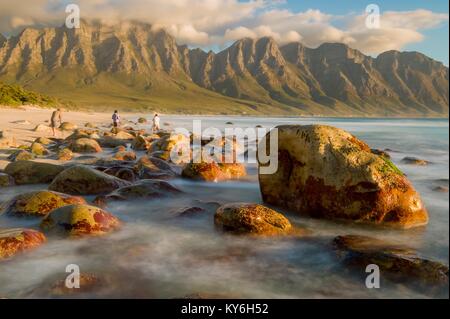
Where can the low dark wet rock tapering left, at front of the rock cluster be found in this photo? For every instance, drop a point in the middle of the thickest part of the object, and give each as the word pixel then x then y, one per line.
pixel 147 188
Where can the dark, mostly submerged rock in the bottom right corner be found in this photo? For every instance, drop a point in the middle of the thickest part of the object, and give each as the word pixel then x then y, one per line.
pixel 396 262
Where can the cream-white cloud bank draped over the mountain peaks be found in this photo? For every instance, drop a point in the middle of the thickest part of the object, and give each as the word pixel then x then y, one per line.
pixel 210 23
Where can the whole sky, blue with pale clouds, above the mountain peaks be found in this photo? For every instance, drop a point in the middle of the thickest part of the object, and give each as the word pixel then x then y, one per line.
pixel 214 24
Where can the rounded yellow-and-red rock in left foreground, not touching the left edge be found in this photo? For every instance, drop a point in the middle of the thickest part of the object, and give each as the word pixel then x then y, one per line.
pixel 80 220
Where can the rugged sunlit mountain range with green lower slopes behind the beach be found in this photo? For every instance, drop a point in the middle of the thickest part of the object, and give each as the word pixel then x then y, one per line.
pixel 133 66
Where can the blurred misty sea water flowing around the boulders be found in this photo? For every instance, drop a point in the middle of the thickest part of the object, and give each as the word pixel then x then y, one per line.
pixel 157 254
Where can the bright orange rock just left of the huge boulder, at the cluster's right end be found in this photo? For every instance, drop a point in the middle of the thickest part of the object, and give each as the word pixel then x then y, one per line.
pixel 213 172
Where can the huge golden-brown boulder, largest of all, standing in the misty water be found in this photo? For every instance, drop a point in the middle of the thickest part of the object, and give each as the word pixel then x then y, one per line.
pixel 326 172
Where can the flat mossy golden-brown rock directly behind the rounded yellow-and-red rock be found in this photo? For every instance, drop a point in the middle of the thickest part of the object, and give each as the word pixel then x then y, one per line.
pixel 38 203
